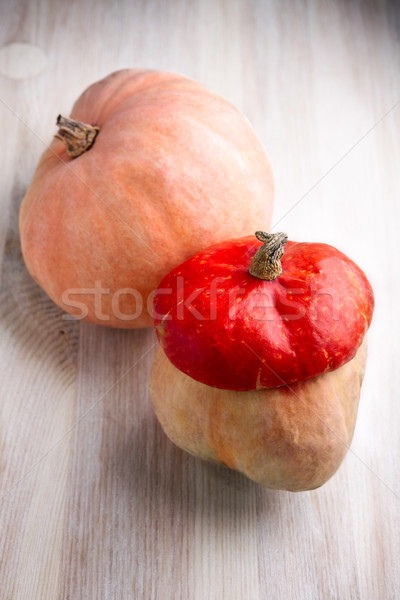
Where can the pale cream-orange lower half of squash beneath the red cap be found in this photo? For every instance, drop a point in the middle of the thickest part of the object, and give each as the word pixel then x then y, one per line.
pixel 290 438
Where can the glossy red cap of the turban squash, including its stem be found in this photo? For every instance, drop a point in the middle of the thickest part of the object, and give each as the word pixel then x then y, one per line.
pixel 231 329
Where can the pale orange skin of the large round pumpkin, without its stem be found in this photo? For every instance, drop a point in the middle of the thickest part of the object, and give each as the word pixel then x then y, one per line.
pixel 173 169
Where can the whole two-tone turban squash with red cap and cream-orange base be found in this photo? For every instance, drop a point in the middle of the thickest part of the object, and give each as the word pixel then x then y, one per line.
pixel 262 357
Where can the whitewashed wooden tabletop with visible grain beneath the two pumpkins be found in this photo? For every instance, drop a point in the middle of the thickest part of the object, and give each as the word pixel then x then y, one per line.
pixel 95 502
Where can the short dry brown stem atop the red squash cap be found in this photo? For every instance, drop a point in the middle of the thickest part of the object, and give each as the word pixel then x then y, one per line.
pixel 266 263
